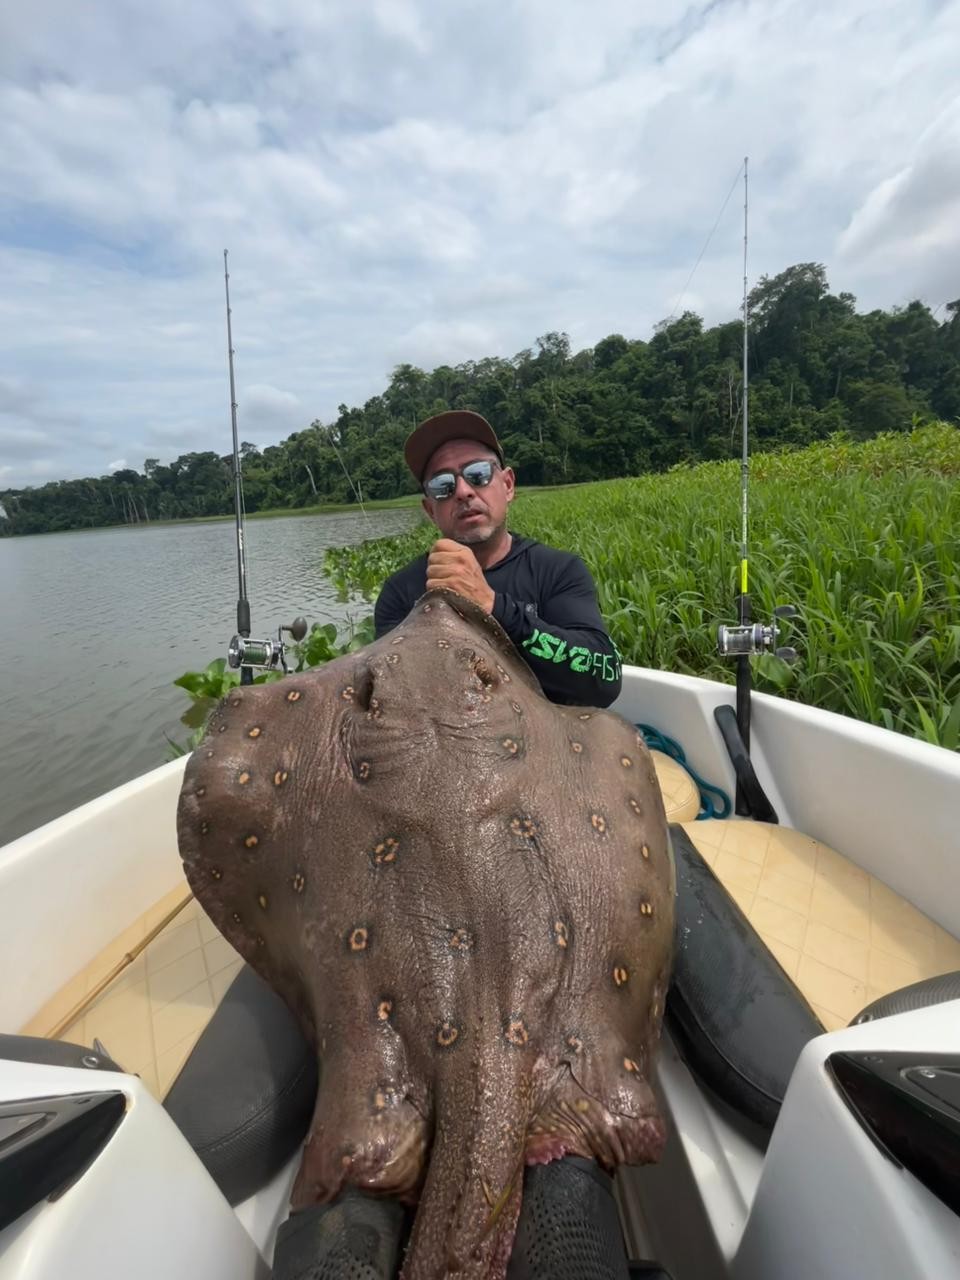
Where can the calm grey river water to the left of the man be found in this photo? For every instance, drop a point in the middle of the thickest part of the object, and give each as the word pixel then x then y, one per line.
pixel 97 627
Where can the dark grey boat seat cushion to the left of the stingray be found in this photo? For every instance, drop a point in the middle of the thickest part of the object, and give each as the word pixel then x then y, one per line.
pixel 246 1094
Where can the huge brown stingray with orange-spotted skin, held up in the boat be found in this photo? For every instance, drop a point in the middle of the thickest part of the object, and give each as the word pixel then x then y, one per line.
pixel 465 893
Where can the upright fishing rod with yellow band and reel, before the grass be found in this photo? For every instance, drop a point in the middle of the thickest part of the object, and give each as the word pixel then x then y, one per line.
pixel 747 639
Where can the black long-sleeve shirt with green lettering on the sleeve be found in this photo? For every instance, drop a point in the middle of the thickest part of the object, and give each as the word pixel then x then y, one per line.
pixel 546 601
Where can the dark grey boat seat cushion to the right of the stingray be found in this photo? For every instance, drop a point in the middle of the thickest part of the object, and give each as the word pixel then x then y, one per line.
pixel 738 1018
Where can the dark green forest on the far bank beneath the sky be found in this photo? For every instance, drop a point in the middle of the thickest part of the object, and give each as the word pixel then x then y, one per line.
pixel 625 408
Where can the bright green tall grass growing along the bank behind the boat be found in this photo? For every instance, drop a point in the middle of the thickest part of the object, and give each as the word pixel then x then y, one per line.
pixel 865 538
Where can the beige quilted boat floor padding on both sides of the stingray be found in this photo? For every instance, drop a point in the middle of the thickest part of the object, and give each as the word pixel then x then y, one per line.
pixel 843 936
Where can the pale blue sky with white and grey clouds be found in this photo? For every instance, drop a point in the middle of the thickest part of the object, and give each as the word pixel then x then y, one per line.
pixel 429 182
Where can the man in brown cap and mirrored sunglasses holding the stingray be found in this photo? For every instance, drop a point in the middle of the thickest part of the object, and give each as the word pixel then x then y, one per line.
pixel 545 600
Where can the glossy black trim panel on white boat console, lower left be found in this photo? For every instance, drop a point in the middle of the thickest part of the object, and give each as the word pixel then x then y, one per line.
pixel 48 1144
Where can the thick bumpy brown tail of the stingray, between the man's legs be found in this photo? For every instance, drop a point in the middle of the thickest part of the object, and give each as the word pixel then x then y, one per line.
pixel 470 1204
